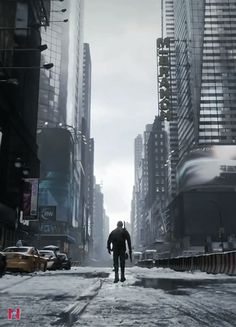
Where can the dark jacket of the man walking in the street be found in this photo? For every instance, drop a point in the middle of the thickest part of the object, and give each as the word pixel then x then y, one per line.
pixel 118 237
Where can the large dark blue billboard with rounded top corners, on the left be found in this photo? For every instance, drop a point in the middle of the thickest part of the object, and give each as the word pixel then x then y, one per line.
pixel 56 183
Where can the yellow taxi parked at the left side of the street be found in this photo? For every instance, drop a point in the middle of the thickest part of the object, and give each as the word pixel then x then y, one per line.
pixel 24 258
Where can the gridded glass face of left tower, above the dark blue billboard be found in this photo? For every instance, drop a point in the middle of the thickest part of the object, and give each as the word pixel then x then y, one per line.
pixel 50 108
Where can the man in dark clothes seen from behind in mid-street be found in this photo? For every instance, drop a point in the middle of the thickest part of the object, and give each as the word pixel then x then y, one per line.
pixel 118 238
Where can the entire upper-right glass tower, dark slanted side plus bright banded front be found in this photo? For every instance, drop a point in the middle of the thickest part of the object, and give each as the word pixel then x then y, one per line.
pixel 205 35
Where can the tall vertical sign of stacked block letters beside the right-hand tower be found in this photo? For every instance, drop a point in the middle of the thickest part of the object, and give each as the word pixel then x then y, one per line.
pixel 164 75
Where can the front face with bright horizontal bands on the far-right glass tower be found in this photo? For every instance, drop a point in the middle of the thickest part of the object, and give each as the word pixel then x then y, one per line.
pixel 217 116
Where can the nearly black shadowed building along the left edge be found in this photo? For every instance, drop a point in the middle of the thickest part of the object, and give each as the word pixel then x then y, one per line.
pixel 20 44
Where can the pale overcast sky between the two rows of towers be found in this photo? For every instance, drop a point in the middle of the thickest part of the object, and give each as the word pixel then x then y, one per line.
pixel 122 36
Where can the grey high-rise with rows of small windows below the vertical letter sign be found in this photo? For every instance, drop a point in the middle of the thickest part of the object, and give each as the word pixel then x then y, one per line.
pixel 156 196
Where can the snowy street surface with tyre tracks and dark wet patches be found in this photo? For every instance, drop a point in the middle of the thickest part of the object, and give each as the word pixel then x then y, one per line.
pixel 87 296
